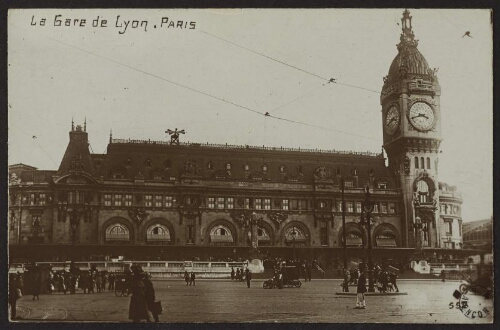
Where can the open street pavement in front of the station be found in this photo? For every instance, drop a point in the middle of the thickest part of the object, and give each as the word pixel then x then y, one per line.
pixel 427 301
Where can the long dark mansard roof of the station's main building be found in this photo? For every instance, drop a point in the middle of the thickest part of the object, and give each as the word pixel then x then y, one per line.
pixel 160 160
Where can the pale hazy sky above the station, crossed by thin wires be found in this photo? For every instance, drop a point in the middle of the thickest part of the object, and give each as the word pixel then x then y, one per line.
pixel 217 80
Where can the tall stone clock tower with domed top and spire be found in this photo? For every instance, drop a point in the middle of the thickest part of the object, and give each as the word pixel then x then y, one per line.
pixel 411 119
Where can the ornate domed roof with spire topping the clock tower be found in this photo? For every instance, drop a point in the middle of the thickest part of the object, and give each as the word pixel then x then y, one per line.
pixel 409 60
